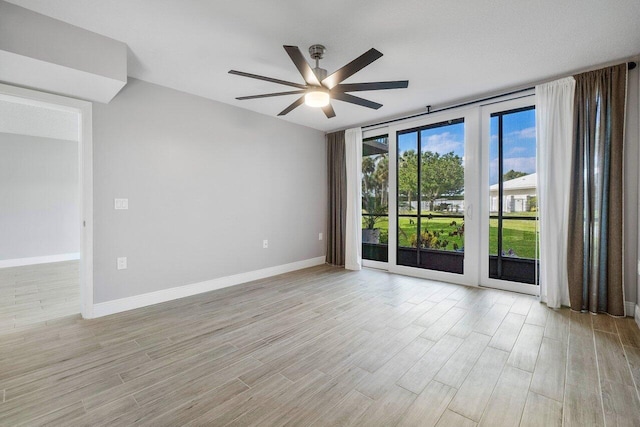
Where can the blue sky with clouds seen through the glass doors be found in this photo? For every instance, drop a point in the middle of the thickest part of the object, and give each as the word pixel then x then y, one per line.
pixel 519 142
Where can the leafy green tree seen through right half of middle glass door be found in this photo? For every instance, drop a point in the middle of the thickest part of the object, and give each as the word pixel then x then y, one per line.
pixel 442 175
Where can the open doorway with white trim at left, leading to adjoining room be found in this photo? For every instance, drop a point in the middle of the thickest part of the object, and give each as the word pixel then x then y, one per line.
pixel 46 208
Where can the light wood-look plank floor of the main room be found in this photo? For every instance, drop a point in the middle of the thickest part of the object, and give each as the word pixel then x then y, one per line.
pixel 324 346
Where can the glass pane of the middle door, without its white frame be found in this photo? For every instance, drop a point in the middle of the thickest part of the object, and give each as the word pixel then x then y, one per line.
pixel 430 197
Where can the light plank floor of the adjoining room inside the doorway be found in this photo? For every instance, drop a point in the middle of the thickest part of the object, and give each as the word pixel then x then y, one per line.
pixel 34 294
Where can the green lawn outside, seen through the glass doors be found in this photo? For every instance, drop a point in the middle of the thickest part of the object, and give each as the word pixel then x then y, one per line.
pixel 519 236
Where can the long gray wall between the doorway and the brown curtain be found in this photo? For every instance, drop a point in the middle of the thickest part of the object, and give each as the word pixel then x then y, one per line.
pixel 206 183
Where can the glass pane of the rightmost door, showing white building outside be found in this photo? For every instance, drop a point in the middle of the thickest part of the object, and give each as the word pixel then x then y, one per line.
pixel 513 209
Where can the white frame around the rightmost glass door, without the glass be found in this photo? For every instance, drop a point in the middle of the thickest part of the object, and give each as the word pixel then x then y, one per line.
pixel 485 280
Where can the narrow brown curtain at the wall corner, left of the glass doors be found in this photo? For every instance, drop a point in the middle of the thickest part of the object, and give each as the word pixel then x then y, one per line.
pixel 337 218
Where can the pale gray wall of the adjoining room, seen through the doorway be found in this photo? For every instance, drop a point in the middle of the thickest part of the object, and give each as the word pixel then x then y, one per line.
pixel 39 197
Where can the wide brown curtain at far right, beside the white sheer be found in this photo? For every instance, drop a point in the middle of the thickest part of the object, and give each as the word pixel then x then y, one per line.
pixel 595 222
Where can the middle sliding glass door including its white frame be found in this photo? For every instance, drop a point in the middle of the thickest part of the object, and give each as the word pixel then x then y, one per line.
pixel 433 189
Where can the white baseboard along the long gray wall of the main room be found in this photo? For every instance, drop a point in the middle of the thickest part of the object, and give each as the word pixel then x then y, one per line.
pixel 143 300
